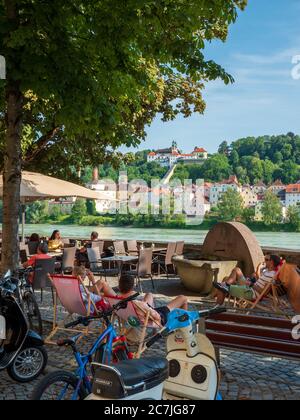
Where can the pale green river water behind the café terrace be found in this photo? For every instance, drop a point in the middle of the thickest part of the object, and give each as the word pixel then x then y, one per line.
pixel 266 239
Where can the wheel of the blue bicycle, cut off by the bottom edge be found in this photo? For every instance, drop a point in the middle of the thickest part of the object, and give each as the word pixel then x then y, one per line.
pixel 58 386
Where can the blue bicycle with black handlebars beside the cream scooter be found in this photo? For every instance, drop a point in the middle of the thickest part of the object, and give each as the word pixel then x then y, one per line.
pixel 108 348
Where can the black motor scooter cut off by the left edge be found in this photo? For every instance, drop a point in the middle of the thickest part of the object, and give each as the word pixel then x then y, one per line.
pixel 22 351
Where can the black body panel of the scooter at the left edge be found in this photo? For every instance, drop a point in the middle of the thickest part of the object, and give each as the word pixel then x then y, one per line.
pixel 14 329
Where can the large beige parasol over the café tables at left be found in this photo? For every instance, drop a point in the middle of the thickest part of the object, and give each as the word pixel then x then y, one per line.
pixel 35 187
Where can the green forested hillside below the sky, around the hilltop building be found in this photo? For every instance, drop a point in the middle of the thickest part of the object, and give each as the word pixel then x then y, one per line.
pixel 266 158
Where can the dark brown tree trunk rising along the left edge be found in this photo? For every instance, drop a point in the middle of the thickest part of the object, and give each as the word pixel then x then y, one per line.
pixel 12 159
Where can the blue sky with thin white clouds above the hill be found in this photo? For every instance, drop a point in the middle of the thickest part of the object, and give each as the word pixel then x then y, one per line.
pixel 265 98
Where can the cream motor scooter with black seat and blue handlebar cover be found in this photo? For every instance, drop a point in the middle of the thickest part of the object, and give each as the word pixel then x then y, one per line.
pixel 190 371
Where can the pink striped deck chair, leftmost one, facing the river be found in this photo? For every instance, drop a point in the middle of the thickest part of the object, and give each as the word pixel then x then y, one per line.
pixel 67 291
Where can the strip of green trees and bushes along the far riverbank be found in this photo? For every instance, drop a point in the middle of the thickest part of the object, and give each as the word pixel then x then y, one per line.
pixel 230 209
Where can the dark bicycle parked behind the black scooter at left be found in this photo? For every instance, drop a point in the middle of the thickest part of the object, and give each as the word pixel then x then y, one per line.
pixel 27 300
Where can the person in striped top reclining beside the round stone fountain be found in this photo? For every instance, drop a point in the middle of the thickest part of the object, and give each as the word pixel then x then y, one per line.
pixel 238 286
